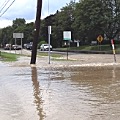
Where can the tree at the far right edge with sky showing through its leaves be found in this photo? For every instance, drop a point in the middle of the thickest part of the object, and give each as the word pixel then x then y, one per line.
pixel 111 19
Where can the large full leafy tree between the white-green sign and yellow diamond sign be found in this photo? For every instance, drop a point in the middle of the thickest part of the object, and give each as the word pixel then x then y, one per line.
pixel 86 24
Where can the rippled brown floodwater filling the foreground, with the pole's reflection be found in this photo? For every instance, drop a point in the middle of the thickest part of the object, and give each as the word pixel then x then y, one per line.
pixel 81 93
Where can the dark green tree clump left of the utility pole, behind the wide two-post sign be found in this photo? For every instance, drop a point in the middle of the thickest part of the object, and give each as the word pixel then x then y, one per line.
pixel 19 26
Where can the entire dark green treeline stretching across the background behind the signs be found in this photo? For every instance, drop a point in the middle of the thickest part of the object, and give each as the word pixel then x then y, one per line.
pixel 86 20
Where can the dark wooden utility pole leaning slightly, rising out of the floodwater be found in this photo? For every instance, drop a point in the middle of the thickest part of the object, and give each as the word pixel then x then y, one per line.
pixel 36 32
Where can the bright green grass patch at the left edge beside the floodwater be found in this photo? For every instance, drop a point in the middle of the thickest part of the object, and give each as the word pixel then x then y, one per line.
pixel 8 57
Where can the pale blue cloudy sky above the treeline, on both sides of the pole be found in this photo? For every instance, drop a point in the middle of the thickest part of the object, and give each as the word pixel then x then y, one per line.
pixel 27 9
